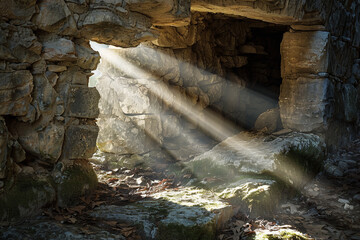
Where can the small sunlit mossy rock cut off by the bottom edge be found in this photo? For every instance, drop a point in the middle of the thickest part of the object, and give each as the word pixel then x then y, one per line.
pixel 284 234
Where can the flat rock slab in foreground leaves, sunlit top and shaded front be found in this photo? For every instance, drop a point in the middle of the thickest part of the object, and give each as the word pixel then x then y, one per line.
pixel 187 213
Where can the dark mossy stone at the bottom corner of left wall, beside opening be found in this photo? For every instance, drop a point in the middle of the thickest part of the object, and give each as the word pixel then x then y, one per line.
pixel 73 181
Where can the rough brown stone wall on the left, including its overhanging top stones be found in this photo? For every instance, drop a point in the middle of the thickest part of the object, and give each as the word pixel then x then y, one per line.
pixel 47 110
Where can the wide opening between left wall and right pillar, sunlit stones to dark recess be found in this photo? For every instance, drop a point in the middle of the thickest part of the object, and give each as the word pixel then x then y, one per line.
pixel 191 88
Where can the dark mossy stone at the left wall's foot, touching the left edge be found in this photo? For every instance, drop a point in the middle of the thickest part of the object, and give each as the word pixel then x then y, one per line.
pixel 26 197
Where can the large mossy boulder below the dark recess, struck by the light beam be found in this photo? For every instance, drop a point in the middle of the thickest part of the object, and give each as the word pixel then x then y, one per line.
pixel 288 157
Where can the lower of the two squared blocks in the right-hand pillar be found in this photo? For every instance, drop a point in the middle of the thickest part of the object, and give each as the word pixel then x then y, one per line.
pixel 305 103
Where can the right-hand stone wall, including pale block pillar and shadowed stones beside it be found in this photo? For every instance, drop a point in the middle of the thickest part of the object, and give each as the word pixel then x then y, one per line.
pixel 319 91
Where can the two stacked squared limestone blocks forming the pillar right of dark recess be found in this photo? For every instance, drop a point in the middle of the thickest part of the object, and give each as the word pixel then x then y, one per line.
pixel 305 95
